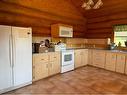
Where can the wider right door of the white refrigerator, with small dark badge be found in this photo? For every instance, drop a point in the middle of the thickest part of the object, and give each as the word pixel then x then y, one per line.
pixel 22 48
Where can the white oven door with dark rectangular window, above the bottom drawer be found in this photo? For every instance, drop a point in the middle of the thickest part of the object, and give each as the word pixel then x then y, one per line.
pixel 67 57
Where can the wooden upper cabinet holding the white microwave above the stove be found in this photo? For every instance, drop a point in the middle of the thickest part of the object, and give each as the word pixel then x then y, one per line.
pixel 61 30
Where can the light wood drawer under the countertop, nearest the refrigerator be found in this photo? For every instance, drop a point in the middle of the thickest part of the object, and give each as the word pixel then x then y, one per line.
pixel 41 58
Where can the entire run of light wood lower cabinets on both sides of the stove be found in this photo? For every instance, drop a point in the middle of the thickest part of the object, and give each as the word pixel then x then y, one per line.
pixel 48 64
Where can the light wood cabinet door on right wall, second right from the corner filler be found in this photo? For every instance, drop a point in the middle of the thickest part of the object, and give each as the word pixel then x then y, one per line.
pixel 110 61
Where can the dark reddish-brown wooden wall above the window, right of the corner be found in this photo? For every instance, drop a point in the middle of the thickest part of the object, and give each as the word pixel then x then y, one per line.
pixel 100 22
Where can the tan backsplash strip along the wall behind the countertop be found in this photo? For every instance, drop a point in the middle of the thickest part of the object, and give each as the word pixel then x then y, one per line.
pixel 75 42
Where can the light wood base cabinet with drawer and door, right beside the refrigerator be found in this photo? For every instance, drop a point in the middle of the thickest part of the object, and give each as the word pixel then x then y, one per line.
pixel 40 66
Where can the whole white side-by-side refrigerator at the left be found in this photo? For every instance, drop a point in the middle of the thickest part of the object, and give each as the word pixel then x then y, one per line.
pixel 15 57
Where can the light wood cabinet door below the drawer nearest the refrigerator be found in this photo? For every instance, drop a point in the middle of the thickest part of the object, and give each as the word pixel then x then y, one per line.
pixel 40 71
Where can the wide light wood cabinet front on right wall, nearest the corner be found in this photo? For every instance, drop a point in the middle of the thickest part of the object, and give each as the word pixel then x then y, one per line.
pixel 98 59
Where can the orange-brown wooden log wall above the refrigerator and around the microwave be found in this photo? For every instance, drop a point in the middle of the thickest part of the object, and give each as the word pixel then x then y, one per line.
pixel 41 14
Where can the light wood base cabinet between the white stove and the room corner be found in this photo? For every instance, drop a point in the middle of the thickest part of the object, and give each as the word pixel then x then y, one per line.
pixel 81 57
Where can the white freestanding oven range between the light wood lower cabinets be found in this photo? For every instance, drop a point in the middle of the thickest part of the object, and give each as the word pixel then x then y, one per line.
pixel 67 58
